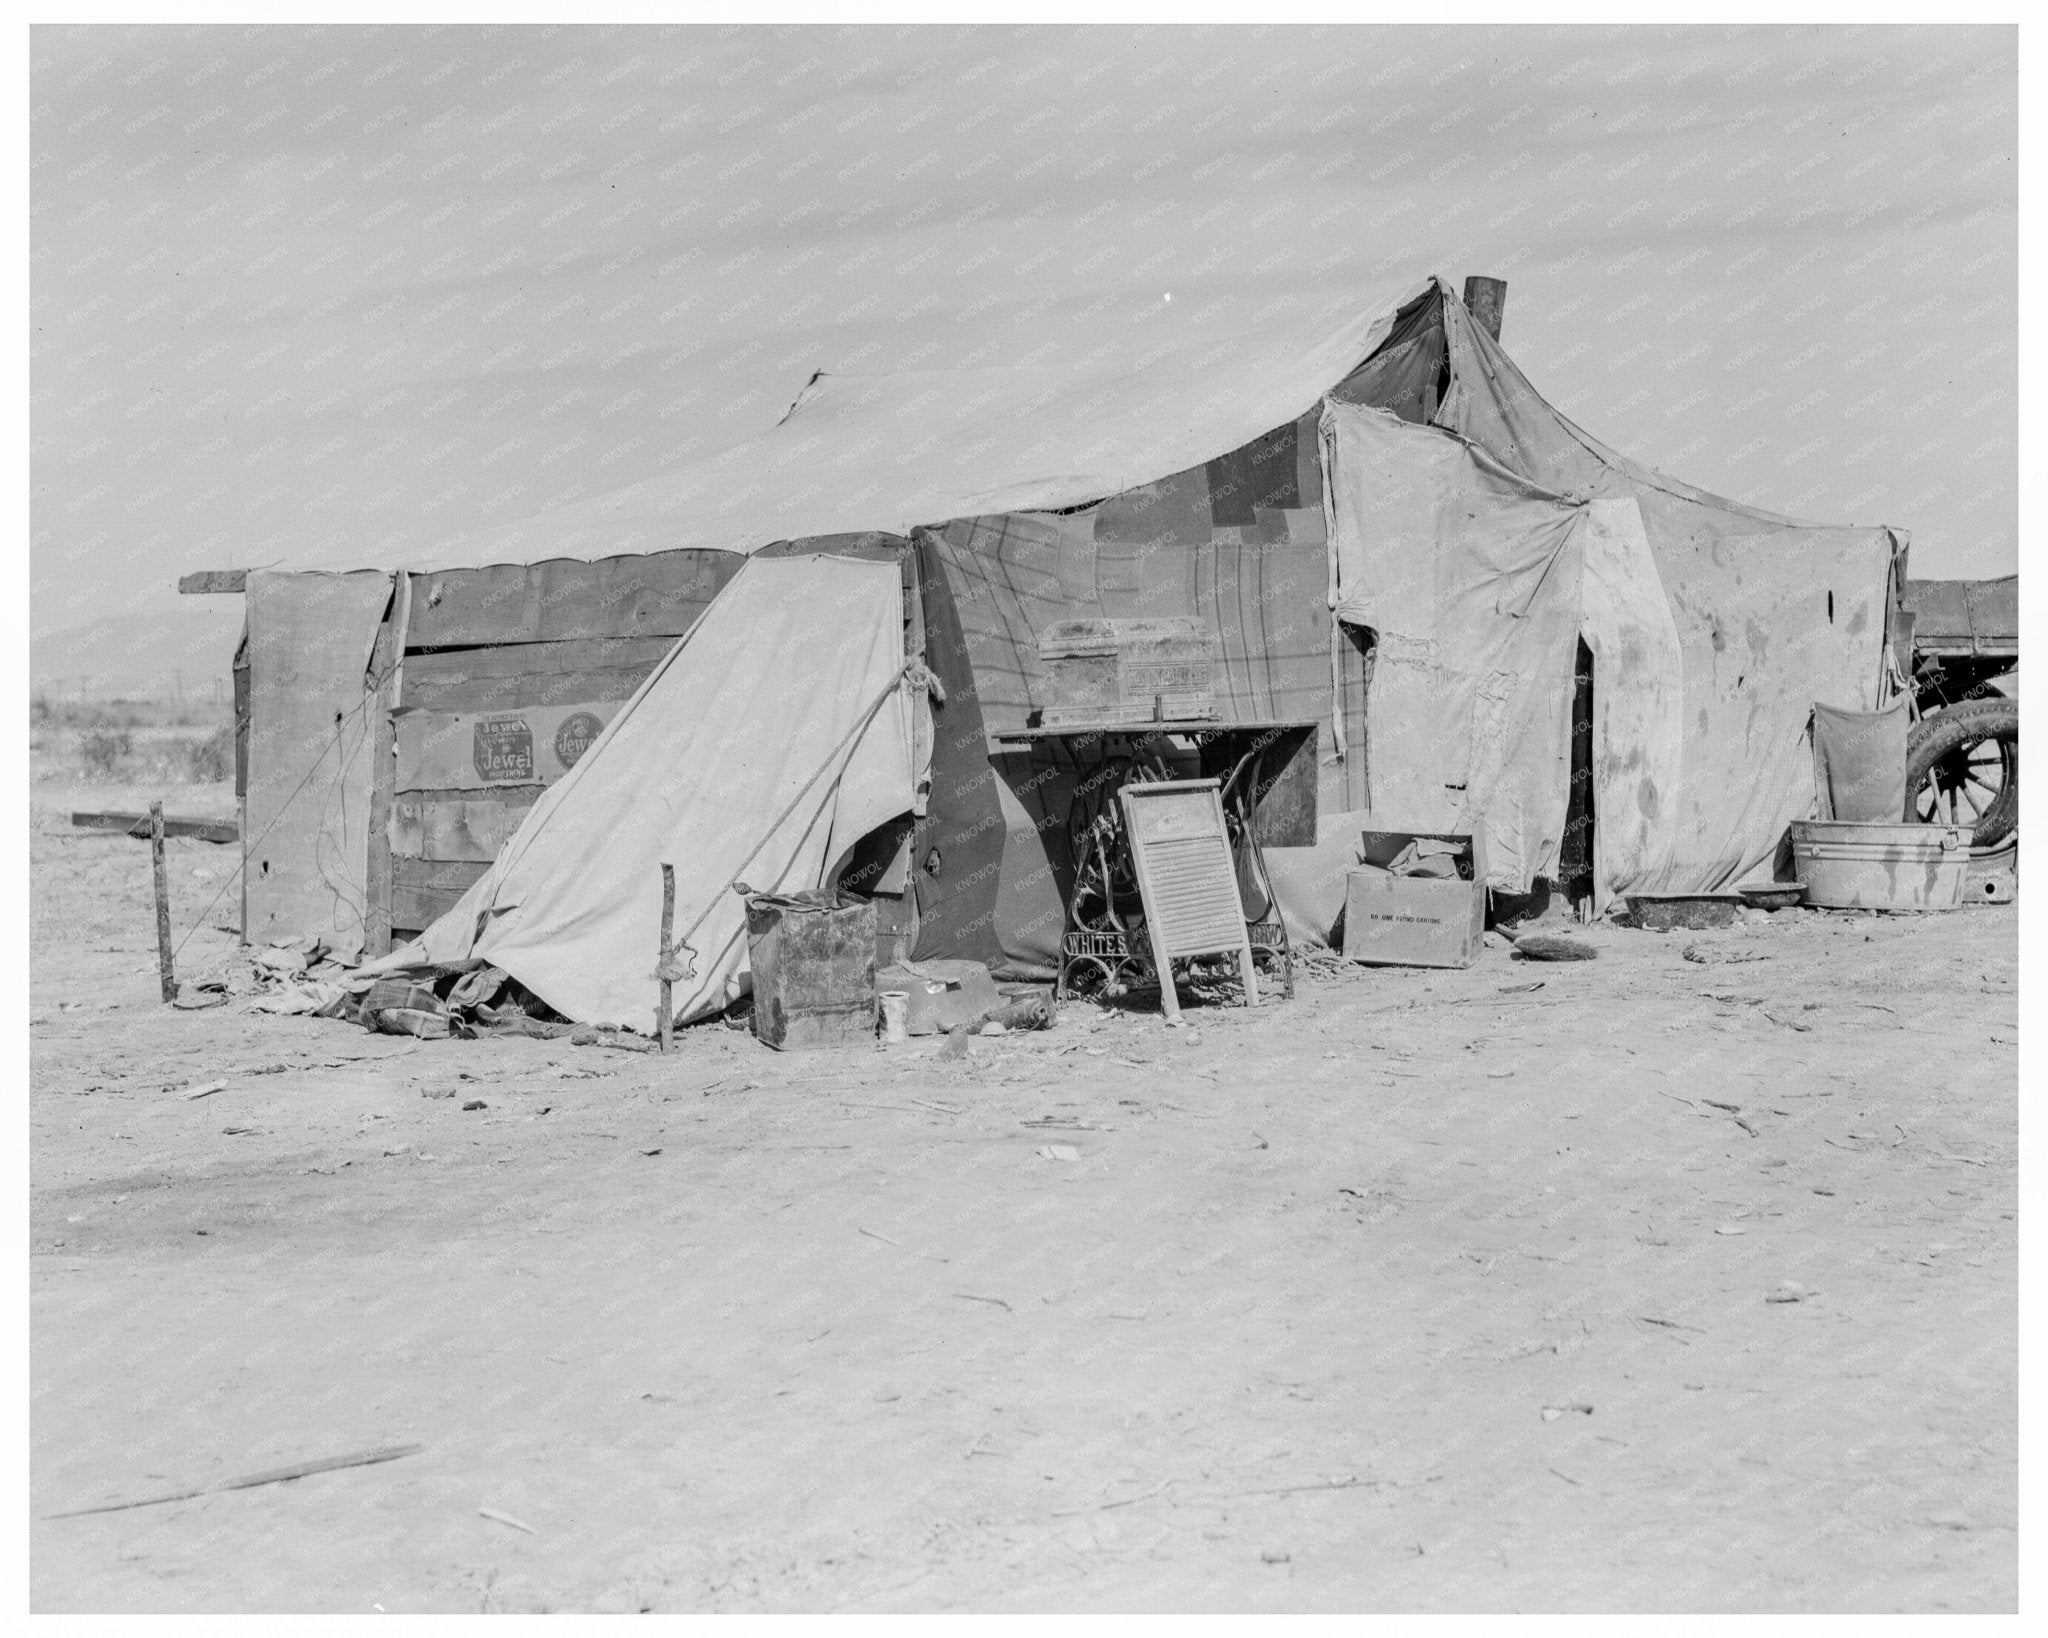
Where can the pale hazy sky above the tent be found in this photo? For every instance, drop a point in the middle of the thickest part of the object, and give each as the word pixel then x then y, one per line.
pixel 327 298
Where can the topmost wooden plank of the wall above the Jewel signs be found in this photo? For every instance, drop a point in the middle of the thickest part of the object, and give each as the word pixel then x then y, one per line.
pixel 658 595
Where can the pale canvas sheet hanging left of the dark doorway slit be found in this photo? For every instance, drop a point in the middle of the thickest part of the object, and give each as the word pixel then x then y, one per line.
pixel 1469 576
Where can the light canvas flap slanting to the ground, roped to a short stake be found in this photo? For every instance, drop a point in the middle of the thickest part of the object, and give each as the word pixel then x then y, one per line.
pixel 765 746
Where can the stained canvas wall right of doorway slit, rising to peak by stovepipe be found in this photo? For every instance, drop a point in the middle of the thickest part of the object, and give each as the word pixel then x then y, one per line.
pixel 1770 617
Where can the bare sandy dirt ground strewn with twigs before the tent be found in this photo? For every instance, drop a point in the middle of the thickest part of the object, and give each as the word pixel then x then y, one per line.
pixel 1424 1291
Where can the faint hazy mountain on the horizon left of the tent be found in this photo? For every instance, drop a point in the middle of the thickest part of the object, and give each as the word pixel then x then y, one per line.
pixel 185 648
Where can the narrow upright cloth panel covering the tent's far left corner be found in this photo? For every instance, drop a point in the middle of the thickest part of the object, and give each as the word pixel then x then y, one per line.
pixel 310 773
